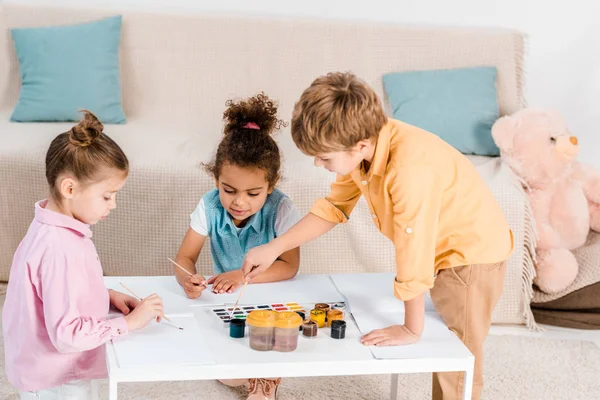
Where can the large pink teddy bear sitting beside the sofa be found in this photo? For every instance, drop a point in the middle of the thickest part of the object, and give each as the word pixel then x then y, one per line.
pixel 564 194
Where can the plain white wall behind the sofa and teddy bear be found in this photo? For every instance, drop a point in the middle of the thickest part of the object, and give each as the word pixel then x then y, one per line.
pixel 562 66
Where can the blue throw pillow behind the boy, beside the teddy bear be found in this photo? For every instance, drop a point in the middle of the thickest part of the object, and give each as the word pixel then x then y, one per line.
pixel 459 105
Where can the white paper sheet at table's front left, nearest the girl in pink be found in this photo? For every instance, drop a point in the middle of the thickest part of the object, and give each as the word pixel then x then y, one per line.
pixel 161 344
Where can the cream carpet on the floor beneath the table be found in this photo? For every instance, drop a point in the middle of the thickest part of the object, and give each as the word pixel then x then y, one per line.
pixel 516 368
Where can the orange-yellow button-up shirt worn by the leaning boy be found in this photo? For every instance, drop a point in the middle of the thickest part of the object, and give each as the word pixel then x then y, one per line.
pixel 429 200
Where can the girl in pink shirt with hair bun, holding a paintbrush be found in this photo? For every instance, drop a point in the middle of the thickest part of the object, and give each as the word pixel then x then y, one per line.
pixel 55 315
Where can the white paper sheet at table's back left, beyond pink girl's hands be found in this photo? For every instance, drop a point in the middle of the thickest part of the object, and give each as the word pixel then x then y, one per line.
pixel 175 302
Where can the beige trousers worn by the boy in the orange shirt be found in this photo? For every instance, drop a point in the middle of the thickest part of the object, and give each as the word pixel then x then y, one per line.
pixel 465 298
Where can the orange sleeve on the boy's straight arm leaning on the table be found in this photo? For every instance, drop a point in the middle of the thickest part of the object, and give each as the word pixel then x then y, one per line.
pixel 416 197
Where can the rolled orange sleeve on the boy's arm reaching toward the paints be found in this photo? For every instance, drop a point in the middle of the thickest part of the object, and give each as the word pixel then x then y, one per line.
pixel 340 202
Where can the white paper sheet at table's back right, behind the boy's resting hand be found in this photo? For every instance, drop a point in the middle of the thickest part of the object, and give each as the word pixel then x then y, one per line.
pixel 370 292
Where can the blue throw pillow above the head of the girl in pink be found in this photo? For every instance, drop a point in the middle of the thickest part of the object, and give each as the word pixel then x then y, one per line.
pixel 68 68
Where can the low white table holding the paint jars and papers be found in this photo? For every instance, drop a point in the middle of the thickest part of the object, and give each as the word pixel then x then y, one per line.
pixel 321 356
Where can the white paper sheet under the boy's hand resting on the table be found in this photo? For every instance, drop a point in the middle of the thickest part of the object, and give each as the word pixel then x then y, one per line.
pixel 436 341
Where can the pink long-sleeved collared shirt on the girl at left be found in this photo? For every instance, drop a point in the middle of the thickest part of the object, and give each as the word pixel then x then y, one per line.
pixel 55 315
